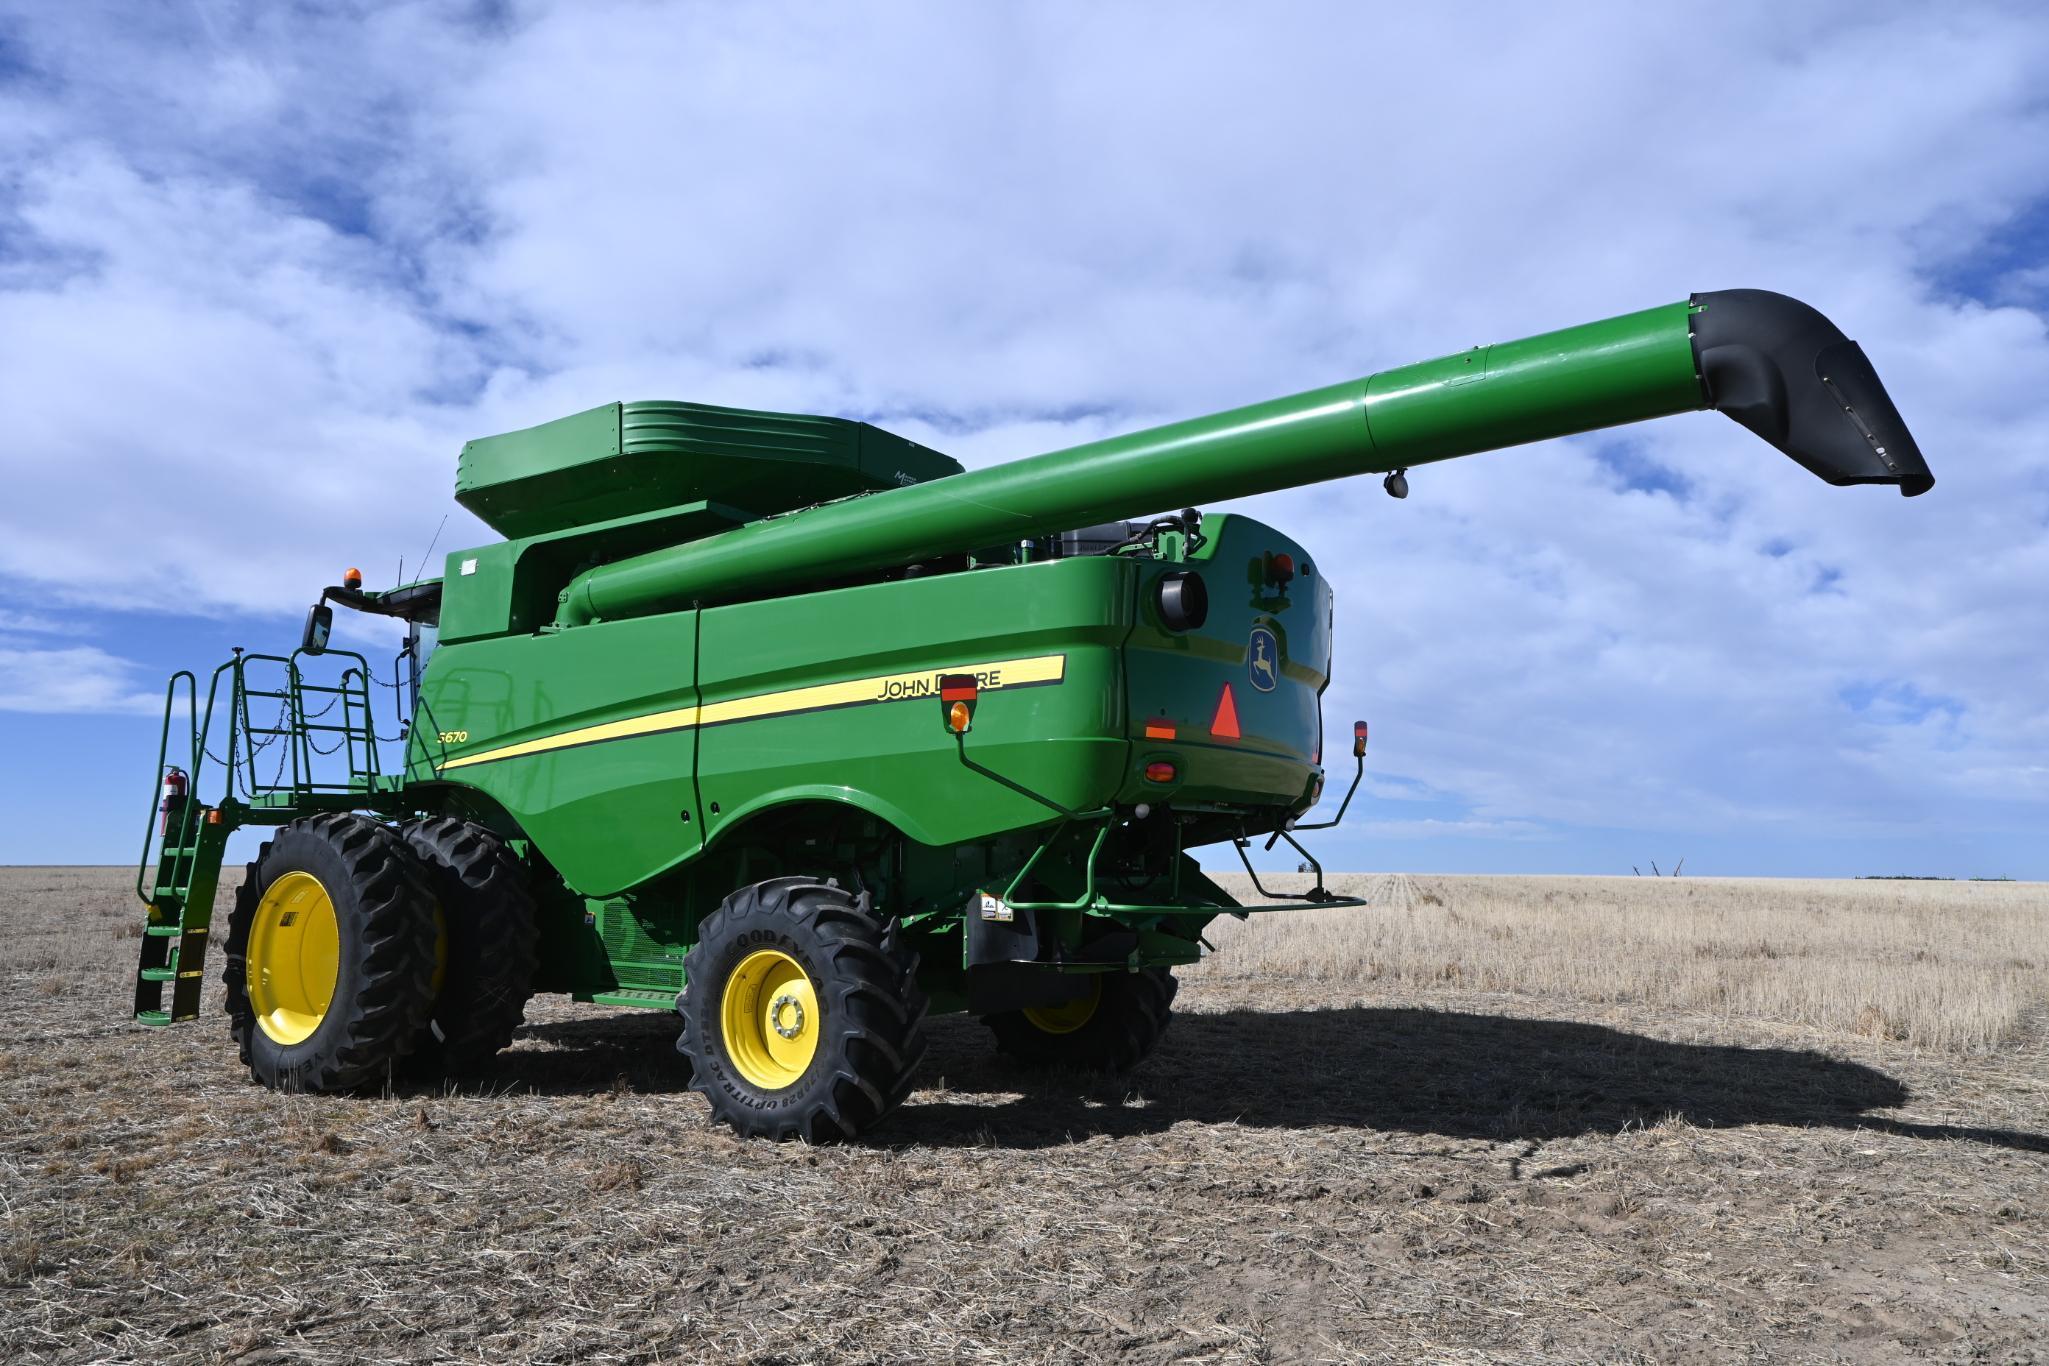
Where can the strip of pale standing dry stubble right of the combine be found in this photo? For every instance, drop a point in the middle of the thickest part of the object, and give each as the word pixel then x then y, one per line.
pixel 1939 966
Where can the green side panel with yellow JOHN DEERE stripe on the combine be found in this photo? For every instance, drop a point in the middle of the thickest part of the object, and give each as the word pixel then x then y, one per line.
pixel 624 749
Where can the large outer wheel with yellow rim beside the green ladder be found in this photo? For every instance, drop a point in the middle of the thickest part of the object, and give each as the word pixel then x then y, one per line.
pixel 341 976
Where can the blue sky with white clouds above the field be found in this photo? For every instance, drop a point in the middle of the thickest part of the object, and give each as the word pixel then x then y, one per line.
pixel 265 267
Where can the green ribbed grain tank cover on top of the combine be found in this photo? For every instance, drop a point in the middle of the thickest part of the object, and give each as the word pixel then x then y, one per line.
pixel 624 460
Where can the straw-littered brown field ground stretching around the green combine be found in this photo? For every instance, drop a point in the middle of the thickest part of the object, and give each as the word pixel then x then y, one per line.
pixel 1362 1160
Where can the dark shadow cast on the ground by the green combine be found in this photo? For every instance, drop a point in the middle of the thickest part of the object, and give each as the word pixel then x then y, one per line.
pixel 1421 1072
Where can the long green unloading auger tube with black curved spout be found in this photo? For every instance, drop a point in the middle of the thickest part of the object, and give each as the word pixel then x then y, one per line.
pixel 1767 361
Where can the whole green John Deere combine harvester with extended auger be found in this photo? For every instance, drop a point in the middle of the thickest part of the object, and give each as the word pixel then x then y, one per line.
pixel 800 730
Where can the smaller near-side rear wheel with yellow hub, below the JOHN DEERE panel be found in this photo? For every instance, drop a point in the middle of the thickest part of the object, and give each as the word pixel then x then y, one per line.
pixel 802 1013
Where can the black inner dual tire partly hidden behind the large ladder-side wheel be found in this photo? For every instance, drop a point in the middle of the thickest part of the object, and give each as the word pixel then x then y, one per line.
pixel 491 957
